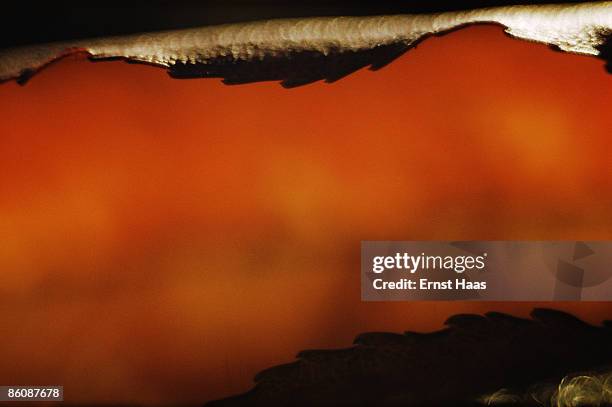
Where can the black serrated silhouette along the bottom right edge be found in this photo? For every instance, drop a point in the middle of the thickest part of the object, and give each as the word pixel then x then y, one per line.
pixel 473 356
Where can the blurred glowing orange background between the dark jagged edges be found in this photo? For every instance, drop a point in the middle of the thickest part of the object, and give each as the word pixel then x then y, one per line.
pixel 163 240
